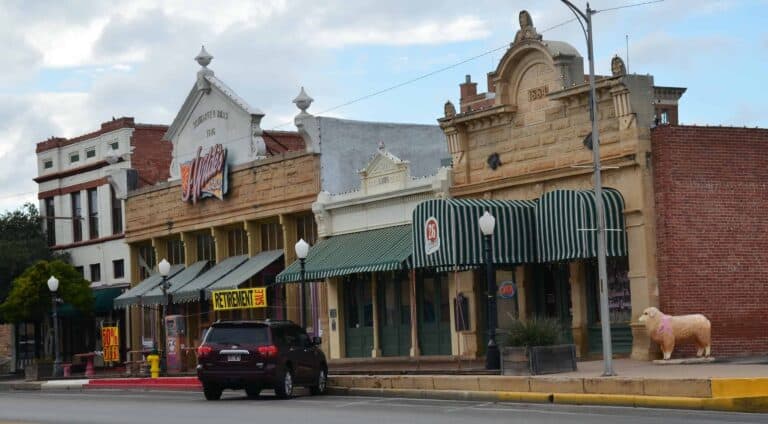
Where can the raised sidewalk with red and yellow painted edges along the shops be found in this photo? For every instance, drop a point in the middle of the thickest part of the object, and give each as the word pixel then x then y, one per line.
pixel 732 386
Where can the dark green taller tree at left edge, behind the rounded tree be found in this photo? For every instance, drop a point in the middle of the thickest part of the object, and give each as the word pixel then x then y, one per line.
pixel 22 243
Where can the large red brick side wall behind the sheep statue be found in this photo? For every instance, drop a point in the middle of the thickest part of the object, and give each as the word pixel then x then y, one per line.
pixel 711 188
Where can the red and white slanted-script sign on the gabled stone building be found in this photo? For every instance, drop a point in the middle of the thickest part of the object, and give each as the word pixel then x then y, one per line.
pixel 205 176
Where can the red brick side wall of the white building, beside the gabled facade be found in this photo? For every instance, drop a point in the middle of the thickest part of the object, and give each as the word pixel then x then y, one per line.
pixel 151 154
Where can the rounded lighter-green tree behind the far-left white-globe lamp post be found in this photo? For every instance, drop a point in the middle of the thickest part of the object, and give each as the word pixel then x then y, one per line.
pixel 30 298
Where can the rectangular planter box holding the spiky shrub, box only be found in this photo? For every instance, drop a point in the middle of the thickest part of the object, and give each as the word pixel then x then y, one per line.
pixel 538 360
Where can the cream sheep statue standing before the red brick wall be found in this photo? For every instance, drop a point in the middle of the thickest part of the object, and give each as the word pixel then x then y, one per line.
pixel 666 330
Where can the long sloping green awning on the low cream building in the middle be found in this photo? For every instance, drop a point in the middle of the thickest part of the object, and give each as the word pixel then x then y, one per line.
pixel 384 249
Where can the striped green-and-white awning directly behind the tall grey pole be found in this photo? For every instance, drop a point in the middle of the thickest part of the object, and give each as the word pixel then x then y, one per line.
pixel 566 224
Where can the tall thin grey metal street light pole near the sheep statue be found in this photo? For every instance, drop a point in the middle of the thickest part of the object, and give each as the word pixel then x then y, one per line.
pixel 605 320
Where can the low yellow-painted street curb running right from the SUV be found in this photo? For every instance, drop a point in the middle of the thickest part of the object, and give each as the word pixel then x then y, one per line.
pixel 729 404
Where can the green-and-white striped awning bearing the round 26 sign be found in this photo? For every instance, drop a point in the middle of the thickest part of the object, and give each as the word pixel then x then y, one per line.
pixel 458 241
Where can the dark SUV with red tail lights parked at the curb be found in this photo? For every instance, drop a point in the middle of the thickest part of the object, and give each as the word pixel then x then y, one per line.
pixel 254 355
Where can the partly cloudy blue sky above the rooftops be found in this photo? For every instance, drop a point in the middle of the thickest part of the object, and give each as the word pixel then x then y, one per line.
pixel 70 65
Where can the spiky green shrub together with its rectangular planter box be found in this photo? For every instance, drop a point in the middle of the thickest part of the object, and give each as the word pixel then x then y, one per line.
pixel 533 347
